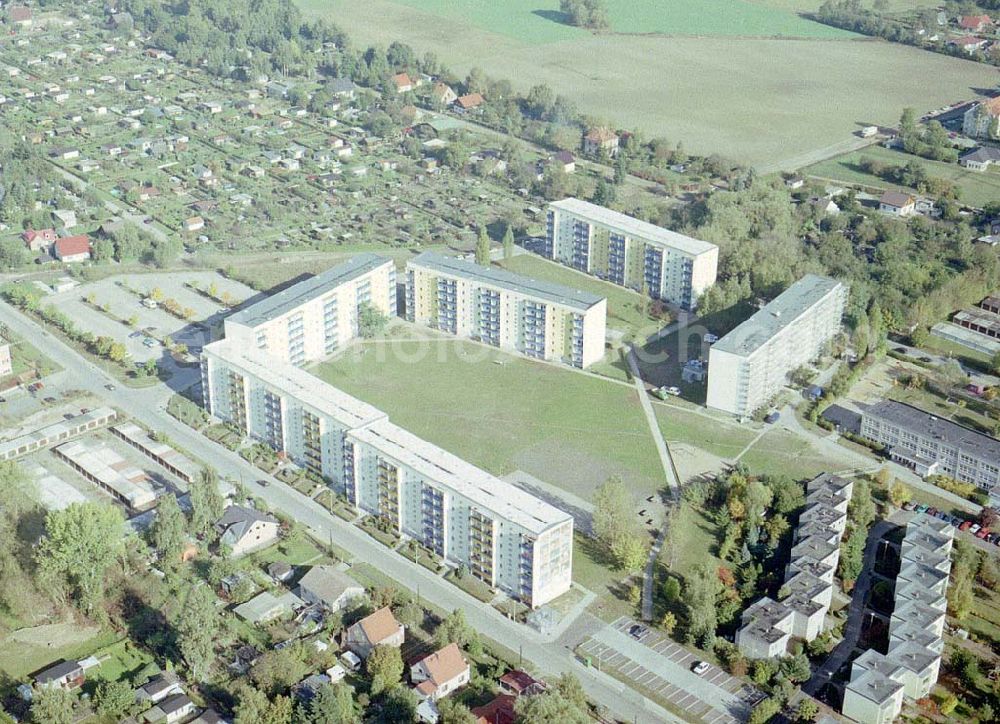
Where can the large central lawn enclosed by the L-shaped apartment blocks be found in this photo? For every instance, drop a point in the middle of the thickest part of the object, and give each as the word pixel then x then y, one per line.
pixel 566 428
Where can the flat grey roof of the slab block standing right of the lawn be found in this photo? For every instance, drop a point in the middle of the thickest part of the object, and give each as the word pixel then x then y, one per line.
pixel 775 316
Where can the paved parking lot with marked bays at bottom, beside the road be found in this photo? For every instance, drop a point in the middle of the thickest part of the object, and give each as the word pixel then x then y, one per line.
pixel 663 668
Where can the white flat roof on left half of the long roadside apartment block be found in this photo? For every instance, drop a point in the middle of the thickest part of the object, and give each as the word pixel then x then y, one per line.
pixel 348 411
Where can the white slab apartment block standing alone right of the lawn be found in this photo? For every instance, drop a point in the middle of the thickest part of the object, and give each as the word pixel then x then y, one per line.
pixel 750 365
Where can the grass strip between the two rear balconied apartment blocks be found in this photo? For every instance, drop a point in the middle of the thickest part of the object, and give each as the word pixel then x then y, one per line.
pixel 624 306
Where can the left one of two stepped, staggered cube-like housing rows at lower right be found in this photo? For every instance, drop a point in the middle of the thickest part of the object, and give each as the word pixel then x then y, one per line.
pixel 767 625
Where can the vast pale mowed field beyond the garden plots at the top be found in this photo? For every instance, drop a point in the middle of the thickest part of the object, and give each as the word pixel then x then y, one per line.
pixel 757 100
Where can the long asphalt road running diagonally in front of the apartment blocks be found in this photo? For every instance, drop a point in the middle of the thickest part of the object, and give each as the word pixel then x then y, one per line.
pixel 149 407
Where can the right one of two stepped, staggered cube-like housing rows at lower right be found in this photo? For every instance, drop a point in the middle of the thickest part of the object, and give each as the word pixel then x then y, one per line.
pixel 910 668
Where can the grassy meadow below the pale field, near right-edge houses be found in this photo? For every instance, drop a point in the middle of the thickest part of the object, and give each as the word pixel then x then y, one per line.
pixel 977 189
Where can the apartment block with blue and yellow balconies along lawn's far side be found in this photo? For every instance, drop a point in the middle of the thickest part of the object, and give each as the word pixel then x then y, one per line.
pixel 539 319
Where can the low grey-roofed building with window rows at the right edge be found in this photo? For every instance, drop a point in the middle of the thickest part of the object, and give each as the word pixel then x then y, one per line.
pixel 930 445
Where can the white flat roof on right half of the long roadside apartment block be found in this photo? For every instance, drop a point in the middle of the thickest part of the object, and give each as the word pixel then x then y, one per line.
pixel 479 487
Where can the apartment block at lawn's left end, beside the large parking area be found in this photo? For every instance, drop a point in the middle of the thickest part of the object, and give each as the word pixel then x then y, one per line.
pixel 314 318
